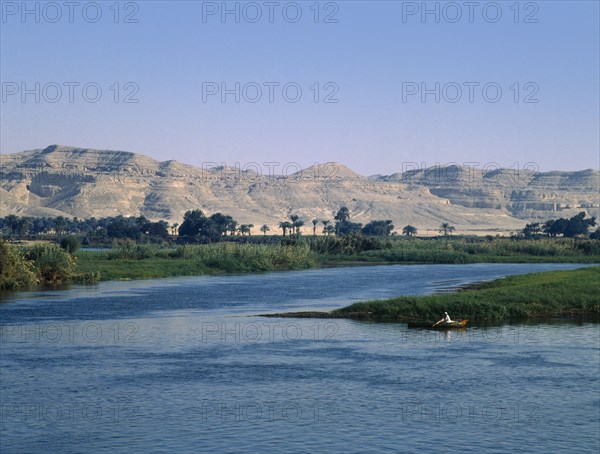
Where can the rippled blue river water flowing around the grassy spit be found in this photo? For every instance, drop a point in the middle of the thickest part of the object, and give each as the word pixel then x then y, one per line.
pixel 183 365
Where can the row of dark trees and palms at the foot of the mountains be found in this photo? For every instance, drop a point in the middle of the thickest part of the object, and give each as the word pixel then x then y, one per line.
pixel 199 228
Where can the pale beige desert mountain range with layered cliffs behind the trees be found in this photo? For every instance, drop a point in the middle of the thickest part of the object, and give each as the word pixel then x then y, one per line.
pixel 70 181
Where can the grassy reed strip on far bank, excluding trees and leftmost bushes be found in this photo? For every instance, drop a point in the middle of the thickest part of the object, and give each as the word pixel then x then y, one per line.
pixel 144 261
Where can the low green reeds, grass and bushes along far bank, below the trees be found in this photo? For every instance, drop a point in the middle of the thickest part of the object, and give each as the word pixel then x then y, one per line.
pixel 47 264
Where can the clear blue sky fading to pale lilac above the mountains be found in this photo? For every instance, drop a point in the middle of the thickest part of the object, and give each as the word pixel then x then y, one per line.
pixel 348 81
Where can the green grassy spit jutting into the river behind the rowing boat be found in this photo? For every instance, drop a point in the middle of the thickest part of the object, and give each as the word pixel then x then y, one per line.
pixel 515 298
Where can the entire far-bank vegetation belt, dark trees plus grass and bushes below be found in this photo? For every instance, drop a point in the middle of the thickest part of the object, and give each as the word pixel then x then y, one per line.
pixel 218 244
